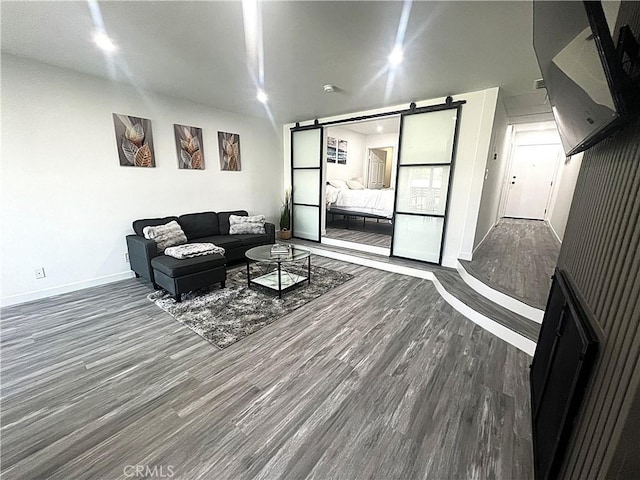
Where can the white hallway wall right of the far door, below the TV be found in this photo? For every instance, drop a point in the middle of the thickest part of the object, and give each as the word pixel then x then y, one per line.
pixel 561 201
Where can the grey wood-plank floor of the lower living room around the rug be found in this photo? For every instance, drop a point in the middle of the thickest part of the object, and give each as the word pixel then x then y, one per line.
pixel 379 378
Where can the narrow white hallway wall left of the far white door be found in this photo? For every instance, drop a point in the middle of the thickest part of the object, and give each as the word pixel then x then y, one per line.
pixel 493 174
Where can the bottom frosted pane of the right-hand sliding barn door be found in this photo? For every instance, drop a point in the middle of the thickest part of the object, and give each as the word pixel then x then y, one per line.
pixel 417 237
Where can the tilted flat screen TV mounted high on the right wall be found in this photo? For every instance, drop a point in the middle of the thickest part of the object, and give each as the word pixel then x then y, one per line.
pixel 587 87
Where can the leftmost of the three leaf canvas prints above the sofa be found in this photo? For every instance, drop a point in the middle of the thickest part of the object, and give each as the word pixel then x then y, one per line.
pixel 134 141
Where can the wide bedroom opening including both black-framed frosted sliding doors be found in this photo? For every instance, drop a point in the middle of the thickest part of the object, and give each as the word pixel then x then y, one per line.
pixel 413 211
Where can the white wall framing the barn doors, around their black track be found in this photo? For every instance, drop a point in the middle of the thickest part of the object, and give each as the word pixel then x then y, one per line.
pixel 473 146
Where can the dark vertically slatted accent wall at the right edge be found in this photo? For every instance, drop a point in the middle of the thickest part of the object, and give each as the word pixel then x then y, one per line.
pixel 601 254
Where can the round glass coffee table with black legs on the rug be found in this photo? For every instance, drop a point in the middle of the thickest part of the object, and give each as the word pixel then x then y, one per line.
pixel 279 272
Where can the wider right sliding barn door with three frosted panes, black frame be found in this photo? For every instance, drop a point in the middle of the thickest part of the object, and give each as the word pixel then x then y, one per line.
pixel 425 173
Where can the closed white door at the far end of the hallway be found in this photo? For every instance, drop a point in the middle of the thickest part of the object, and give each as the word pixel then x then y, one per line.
pixel 530 180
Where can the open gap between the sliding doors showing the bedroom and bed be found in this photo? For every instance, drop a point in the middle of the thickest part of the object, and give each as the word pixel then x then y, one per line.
pixel 360 163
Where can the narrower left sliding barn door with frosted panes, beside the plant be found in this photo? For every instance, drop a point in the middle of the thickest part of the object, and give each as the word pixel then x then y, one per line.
pixel 306 180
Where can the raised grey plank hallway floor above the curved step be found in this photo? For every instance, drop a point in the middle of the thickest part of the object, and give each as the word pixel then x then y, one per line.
pixel 517 258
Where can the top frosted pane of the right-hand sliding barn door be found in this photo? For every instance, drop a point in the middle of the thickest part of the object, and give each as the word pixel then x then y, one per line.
pixel 428 137
